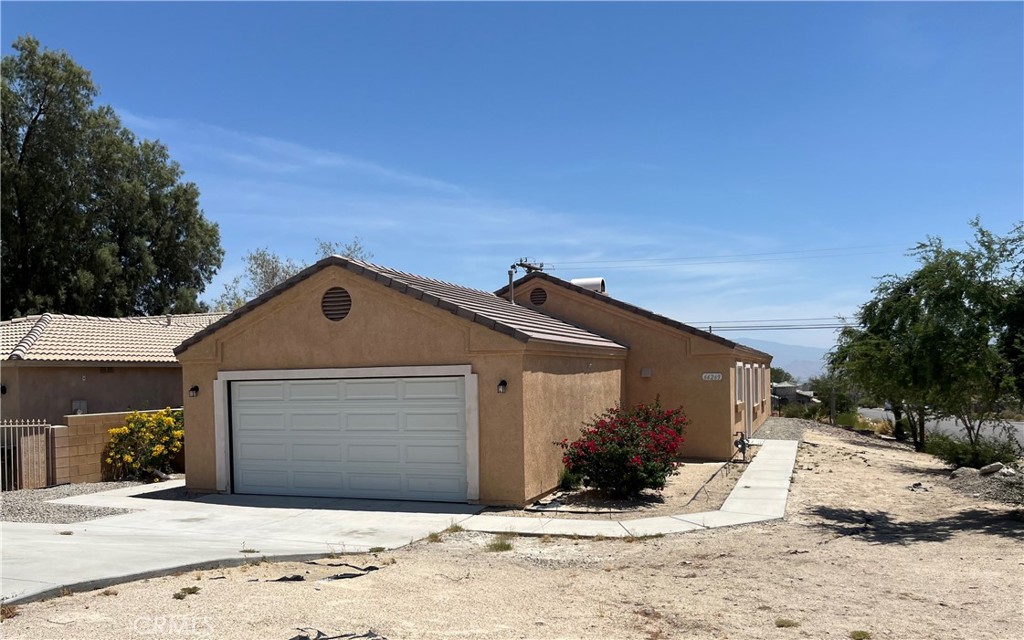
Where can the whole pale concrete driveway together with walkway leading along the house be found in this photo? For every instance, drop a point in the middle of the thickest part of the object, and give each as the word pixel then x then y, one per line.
pixel 164 536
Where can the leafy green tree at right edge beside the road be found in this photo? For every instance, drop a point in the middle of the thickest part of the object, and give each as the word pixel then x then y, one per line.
pixel 942 342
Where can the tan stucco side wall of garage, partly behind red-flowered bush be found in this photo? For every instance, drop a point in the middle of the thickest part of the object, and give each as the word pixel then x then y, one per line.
pixel 562 393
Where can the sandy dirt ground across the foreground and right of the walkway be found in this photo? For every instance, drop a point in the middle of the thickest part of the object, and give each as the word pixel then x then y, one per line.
pixel 863 549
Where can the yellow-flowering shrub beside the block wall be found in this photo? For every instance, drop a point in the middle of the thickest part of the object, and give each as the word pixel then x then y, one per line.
pixel 146 444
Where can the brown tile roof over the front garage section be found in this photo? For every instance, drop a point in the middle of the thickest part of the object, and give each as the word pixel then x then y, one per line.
pixel 480 307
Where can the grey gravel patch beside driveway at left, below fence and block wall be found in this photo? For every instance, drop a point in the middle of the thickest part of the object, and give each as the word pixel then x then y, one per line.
pixel 32 505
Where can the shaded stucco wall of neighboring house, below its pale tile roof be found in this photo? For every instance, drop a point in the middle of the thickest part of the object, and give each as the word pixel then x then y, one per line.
pixel 37 392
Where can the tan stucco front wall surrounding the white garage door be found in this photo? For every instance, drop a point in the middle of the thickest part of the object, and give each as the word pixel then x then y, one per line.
pixel 385 329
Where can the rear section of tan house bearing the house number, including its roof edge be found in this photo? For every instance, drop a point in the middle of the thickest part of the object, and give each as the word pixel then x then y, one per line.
pixel 722 386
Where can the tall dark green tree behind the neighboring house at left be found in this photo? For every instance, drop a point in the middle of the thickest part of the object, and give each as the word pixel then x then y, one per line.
pixel 94 221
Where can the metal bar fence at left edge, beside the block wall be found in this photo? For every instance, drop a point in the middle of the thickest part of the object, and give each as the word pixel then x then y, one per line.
pixel 26 455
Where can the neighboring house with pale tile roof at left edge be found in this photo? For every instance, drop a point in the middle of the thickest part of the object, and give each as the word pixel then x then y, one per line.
pixel 55 365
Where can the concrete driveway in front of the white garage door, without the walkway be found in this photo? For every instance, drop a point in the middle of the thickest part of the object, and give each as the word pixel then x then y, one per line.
pixel 183 534
